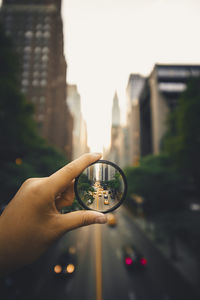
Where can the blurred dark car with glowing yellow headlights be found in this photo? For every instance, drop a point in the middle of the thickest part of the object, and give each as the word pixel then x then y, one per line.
pixel 66 263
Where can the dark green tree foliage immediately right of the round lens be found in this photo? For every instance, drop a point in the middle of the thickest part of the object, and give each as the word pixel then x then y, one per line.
pixel 158 183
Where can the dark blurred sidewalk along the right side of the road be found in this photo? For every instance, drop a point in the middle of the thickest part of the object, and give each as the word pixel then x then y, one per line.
pixel 186 263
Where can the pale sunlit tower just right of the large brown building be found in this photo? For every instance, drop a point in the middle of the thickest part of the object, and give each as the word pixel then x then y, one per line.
pixel 79 129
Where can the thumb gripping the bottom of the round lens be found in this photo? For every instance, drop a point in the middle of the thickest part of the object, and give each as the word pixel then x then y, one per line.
pixel 81 218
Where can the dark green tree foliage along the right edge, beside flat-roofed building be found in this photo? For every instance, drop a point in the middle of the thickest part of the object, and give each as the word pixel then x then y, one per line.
pixel 182 140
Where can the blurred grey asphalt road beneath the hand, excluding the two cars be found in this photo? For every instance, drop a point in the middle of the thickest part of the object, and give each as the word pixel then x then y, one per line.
pixel 101 273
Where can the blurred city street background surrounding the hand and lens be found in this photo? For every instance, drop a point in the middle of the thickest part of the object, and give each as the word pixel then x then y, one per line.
pixel 121 78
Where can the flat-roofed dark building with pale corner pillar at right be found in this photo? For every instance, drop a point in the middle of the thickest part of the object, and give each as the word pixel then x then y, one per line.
pixel 166 83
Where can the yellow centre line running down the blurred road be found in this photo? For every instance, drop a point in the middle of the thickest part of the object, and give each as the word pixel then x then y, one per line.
pixel 98 262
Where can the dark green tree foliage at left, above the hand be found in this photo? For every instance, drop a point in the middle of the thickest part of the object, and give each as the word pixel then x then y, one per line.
pixel 18 131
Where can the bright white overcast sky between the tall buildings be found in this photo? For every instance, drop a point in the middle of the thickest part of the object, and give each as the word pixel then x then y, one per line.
pixel 106 40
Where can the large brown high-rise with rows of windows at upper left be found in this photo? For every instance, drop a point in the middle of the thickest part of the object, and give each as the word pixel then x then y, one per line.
pixel 37 32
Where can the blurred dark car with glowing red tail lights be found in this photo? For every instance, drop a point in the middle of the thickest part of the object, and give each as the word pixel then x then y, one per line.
pixel 133 259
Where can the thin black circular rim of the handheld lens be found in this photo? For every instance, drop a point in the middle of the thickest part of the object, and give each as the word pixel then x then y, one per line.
pixel 124 192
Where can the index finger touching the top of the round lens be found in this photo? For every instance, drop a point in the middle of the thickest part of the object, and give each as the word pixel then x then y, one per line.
pixel 60 179
